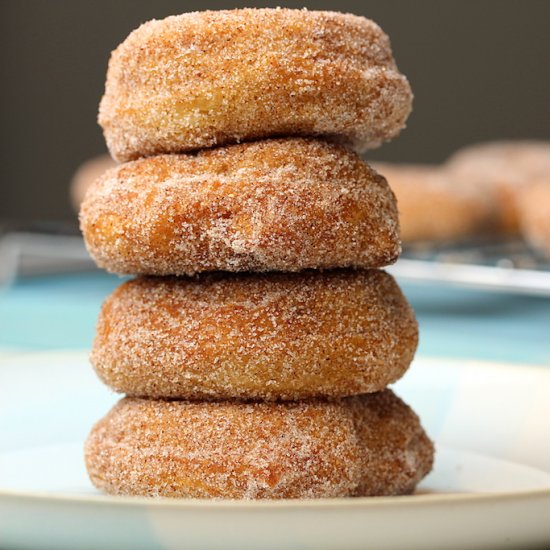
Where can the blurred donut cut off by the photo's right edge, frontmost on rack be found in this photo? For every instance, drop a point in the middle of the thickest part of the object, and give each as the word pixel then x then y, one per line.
pixel 534 209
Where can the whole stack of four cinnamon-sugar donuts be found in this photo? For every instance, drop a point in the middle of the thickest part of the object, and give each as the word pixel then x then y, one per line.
pixel 257 340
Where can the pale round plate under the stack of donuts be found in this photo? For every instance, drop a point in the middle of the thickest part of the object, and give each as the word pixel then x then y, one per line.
pixel 490 486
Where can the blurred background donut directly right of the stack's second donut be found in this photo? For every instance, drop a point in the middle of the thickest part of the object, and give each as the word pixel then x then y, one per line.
pixel 434 207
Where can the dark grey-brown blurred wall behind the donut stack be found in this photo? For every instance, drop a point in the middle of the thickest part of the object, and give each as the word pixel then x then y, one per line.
pixel 480 70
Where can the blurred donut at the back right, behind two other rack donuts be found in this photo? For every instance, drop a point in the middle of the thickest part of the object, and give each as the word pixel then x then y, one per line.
pixel 505 168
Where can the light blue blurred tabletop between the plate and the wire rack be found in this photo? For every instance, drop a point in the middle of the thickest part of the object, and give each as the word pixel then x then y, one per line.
pixel 39 313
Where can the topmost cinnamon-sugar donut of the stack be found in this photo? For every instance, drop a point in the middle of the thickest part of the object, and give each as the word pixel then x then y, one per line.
pixel 217 77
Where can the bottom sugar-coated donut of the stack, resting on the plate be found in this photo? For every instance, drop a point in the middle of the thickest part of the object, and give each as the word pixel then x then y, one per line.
pixel 359 446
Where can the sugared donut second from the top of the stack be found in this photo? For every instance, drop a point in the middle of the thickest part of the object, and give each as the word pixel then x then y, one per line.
pixel 274 205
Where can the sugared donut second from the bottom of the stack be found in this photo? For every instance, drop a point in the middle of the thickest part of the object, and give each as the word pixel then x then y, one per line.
pixel 255 336
